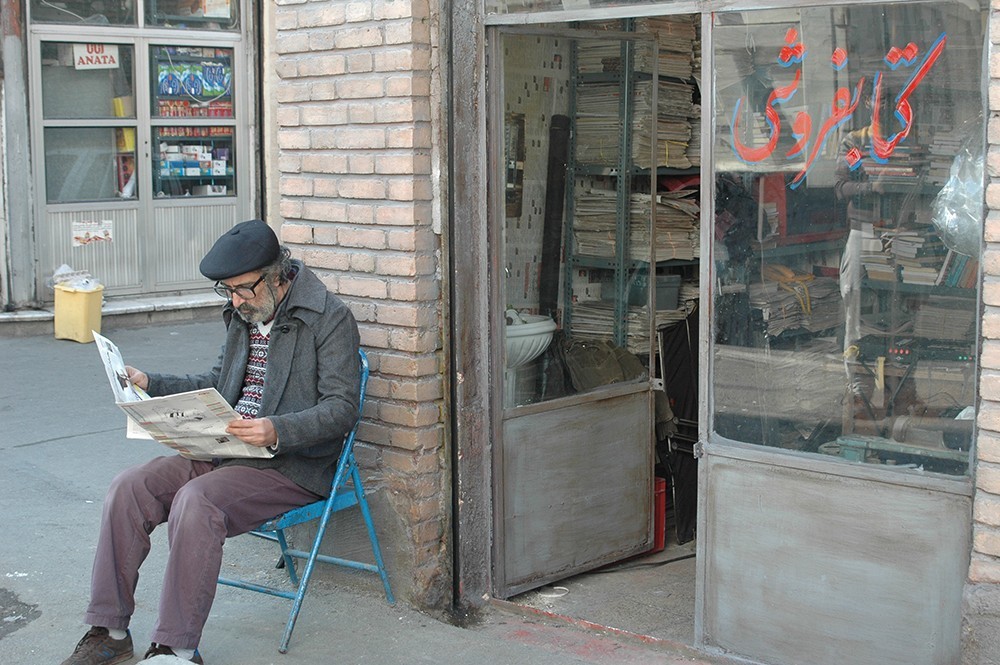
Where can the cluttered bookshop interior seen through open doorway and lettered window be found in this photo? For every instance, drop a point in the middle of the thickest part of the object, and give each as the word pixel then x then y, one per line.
pixel 601 232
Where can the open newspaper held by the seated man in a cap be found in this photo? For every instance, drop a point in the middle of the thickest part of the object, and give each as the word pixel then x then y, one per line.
pixel 192 423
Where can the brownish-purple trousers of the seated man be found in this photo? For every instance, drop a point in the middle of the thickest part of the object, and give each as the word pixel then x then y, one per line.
pixel 202 505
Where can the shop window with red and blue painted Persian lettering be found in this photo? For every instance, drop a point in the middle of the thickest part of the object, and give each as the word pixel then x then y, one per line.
pixel 848 175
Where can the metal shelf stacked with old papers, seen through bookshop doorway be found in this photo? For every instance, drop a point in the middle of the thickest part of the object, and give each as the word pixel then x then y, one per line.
pixel 608 168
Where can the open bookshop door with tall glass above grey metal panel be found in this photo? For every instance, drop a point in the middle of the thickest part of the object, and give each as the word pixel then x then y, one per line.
pixel 574 471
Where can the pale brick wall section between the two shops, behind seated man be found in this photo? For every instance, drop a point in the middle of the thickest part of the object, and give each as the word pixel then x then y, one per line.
pixel 353 105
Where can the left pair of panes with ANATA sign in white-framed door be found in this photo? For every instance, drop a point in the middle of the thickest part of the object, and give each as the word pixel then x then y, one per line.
pixel 91 82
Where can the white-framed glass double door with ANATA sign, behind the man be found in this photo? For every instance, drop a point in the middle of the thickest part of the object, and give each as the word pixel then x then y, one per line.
pixel 137 148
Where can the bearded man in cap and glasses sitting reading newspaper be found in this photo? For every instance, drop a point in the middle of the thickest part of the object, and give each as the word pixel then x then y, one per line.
pixel 289 367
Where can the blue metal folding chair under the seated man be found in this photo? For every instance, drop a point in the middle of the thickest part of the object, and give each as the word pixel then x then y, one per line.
pixel 342 496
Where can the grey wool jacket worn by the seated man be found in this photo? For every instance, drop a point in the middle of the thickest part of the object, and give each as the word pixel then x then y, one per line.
pixel 312 385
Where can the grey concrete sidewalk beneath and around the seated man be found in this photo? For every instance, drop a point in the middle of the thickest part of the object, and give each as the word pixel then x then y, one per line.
pixel 63 440
